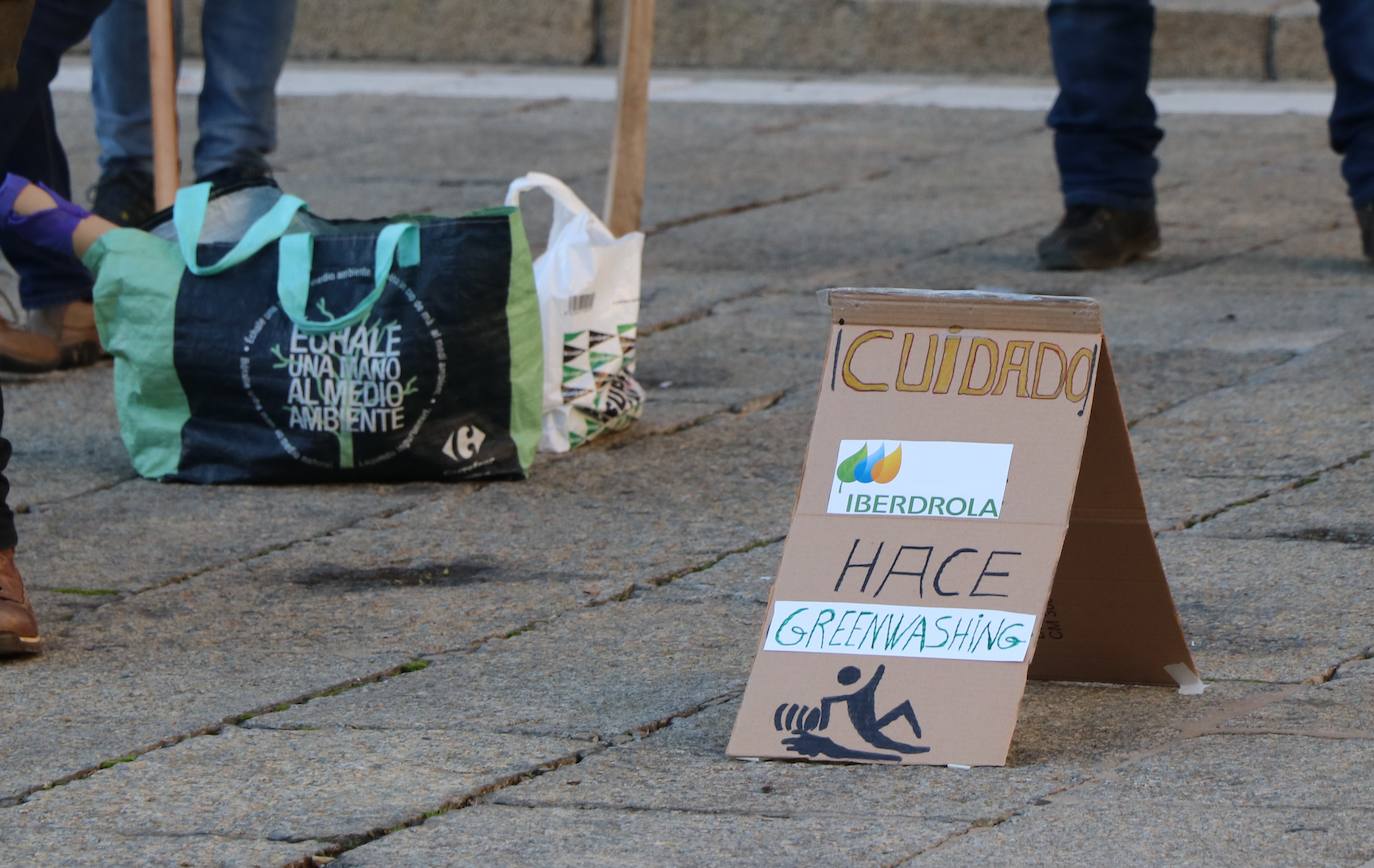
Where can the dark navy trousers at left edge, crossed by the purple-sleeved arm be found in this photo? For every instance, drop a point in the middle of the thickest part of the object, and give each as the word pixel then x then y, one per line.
pixel 30 146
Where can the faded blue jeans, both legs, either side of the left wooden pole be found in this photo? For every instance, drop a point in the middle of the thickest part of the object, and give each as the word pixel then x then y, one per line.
pixel 245 46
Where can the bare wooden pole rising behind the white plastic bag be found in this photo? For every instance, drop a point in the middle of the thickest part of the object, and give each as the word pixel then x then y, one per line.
pixel 626 186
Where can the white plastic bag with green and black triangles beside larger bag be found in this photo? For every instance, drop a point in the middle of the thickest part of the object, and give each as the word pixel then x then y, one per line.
pixel 589 299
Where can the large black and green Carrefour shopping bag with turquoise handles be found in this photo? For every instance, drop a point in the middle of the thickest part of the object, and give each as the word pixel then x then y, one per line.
pixel 258 343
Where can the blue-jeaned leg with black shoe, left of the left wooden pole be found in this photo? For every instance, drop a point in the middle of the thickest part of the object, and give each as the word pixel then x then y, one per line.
pixel 124 111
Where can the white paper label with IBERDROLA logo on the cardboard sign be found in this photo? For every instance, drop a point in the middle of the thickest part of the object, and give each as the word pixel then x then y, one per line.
pixel 920 479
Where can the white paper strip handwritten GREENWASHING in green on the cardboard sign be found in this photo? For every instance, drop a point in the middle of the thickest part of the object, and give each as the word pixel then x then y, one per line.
pixel 901 631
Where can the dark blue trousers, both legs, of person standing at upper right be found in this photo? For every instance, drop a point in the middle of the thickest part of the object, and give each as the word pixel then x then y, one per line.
pixel 1105 126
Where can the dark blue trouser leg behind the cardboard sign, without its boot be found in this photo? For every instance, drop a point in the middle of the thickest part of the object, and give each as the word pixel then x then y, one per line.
pixel 1104 122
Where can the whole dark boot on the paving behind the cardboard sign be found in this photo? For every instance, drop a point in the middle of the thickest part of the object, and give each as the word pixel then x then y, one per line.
pixel 1093 237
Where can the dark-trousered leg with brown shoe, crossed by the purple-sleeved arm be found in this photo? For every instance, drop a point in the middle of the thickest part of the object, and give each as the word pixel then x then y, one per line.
pixel 56 290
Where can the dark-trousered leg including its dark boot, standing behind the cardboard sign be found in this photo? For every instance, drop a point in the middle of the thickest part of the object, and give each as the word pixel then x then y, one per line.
pixel 1105 133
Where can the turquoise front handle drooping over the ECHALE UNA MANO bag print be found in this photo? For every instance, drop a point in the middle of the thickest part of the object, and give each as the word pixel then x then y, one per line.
pixel 398 244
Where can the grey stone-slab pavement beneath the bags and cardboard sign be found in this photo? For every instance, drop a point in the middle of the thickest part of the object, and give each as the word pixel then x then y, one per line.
pixel 546 672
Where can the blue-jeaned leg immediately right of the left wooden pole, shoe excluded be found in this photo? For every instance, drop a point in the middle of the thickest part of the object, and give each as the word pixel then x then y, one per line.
pixel 245 49
